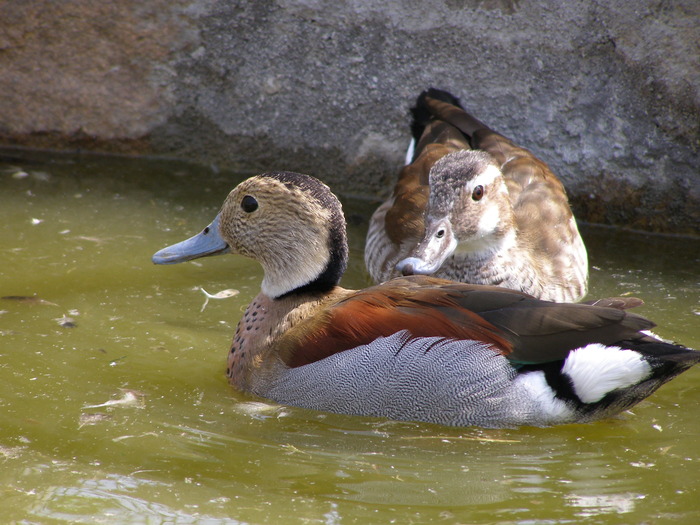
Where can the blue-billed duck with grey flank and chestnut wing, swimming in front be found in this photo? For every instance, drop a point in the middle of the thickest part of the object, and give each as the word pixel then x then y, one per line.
pixel 417 347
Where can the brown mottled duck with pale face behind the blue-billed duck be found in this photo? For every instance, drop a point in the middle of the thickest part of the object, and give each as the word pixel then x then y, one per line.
pixel 472 206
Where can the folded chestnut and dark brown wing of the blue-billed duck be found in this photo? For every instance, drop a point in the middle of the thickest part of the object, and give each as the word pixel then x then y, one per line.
pixel 516 325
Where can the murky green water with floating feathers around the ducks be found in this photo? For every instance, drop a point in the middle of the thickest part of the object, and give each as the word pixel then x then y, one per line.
pixel 77 235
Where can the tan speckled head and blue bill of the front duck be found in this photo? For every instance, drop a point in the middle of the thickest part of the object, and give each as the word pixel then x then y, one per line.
pixel 292 224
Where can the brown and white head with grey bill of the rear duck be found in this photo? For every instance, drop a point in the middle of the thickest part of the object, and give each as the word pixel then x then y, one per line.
pixel 468 210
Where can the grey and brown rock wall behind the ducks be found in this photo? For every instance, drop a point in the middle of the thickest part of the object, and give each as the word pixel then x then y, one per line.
pixel 608 93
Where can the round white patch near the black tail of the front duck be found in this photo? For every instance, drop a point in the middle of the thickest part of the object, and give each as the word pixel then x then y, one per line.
pixel 595 370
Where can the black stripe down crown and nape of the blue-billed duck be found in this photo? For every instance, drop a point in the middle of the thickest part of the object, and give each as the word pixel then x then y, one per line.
pixel 337 238
